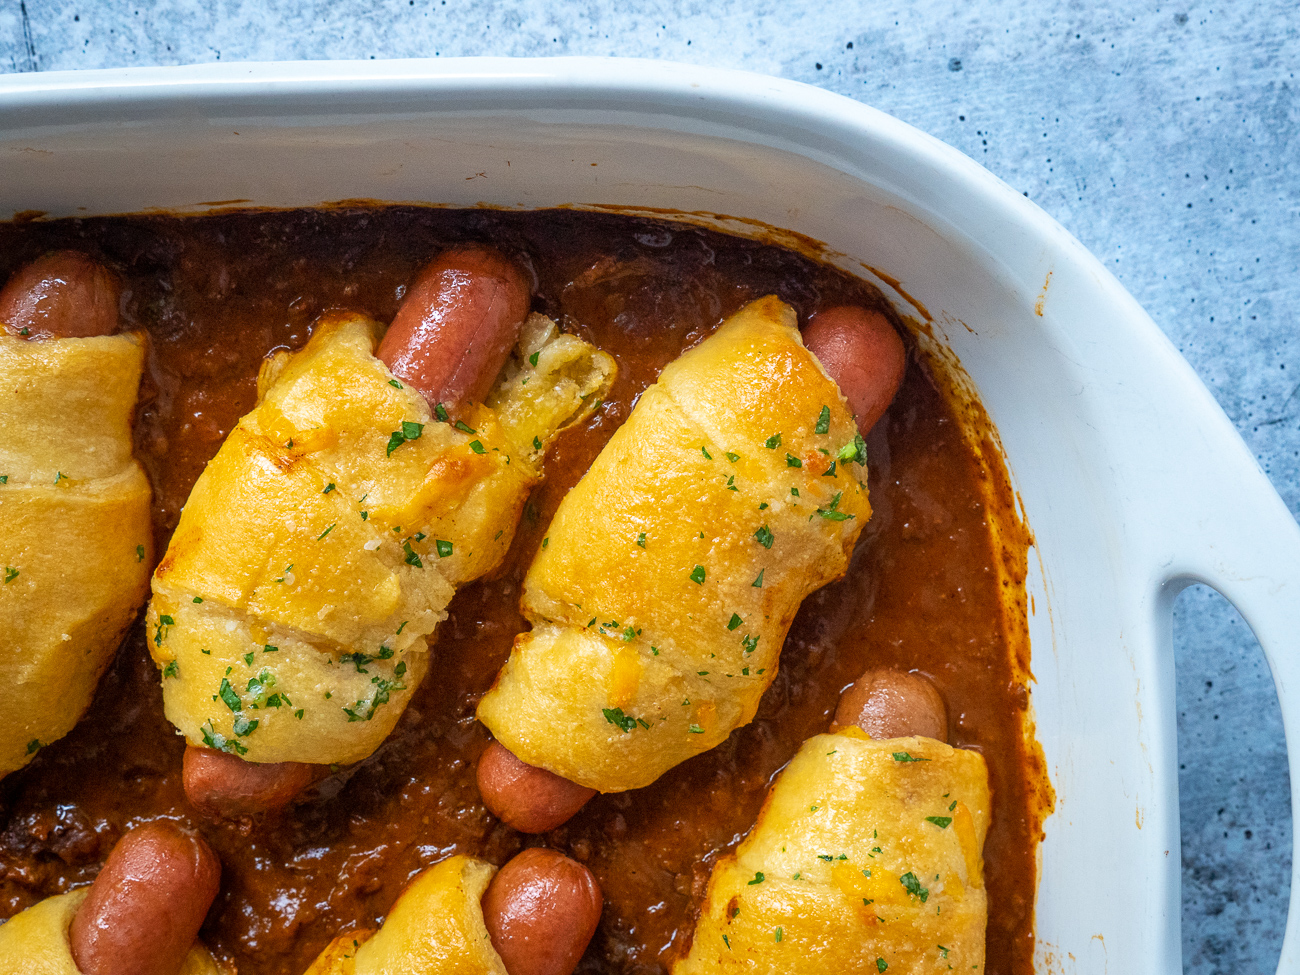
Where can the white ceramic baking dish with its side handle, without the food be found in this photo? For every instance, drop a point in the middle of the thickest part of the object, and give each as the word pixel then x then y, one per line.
pixel 1132 479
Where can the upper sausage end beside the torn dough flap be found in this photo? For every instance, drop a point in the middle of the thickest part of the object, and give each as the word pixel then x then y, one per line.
pixel 457 326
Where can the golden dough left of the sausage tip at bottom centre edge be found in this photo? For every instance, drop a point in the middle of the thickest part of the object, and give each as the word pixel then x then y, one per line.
pixel 435 929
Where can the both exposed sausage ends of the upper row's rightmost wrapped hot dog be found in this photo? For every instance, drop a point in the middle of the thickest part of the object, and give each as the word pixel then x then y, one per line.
pixel 866 359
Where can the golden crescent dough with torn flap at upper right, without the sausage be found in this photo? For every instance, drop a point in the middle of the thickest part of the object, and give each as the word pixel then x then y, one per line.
pixel 293 612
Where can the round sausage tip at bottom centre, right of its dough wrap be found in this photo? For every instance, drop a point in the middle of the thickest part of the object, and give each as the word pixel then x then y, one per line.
pixel 541 911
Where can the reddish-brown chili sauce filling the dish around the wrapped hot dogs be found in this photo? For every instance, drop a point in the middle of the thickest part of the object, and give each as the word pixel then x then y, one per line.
pixel 216 294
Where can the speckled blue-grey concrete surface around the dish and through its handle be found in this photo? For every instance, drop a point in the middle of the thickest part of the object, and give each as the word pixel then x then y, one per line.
pixel 1165 136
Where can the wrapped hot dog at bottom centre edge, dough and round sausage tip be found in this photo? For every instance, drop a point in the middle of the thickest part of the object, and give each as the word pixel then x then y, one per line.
pixel 463 917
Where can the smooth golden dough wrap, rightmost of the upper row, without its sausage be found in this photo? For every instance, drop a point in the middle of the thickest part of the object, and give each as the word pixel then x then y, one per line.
pixel 673 571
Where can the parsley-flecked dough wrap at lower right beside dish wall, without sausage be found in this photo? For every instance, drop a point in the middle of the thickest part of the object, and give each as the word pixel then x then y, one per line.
pixel 865 859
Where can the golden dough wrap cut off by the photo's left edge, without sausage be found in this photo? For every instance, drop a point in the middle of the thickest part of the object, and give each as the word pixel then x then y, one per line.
pixel 75 530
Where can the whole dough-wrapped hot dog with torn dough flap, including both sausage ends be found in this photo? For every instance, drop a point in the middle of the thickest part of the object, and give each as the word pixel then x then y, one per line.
pixel 445 506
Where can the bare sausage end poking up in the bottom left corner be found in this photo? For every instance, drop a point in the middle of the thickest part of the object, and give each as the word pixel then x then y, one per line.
pixel 145 908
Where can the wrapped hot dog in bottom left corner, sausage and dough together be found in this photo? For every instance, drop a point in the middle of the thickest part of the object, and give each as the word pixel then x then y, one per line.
pixel 141 917
